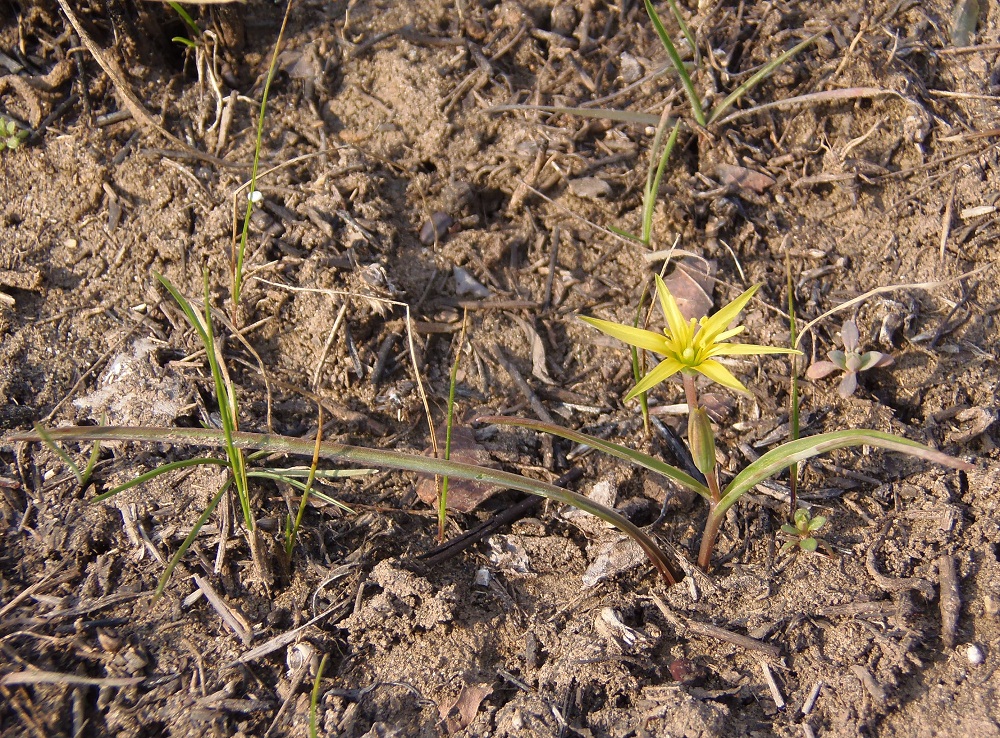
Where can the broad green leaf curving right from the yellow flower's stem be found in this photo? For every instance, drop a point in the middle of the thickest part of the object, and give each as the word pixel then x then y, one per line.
pixel 789 453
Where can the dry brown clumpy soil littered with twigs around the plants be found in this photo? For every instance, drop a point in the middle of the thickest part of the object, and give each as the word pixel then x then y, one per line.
pixel 399 181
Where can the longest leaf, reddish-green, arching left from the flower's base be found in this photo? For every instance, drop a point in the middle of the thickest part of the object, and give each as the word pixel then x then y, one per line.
pixel 370 457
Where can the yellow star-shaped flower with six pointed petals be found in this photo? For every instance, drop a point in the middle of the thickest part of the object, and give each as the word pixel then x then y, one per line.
pixel 689 346
